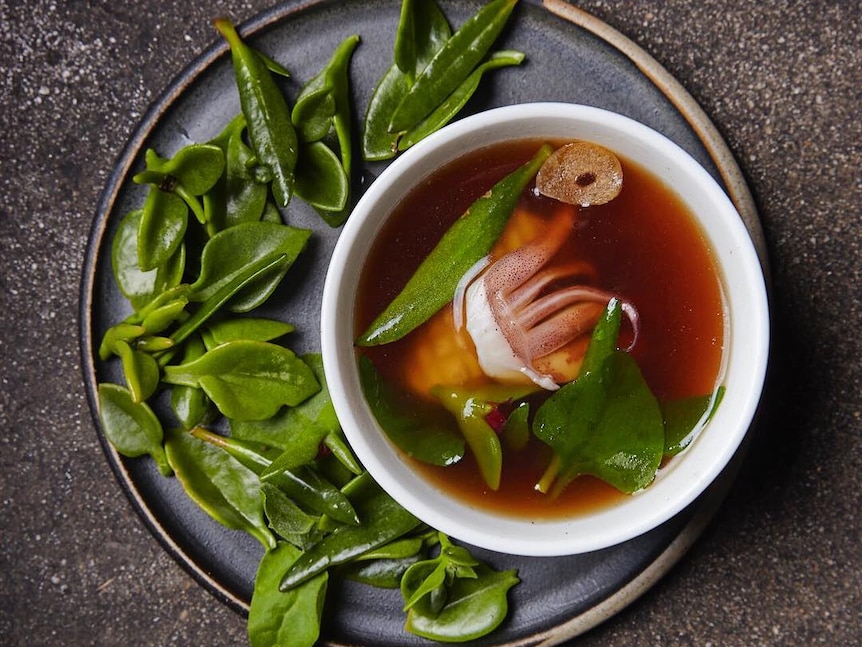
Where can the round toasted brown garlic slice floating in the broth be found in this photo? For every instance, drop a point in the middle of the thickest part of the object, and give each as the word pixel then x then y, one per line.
pixel 581 173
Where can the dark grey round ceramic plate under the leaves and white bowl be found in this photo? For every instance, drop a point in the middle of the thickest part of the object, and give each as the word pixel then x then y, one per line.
pixel 570 57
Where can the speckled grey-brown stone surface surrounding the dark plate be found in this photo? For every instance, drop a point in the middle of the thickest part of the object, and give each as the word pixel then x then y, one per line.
pixel 780 565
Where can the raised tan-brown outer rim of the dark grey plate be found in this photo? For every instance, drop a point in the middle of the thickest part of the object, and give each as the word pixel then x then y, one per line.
pixel 733 181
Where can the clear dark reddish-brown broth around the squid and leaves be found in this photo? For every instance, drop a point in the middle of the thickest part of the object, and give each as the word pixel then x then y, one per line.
pixel 645 246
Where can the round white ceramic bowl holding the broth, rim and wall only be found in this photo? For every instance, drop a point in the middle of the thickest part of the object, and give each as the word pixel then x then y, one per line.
pixel 746 338
